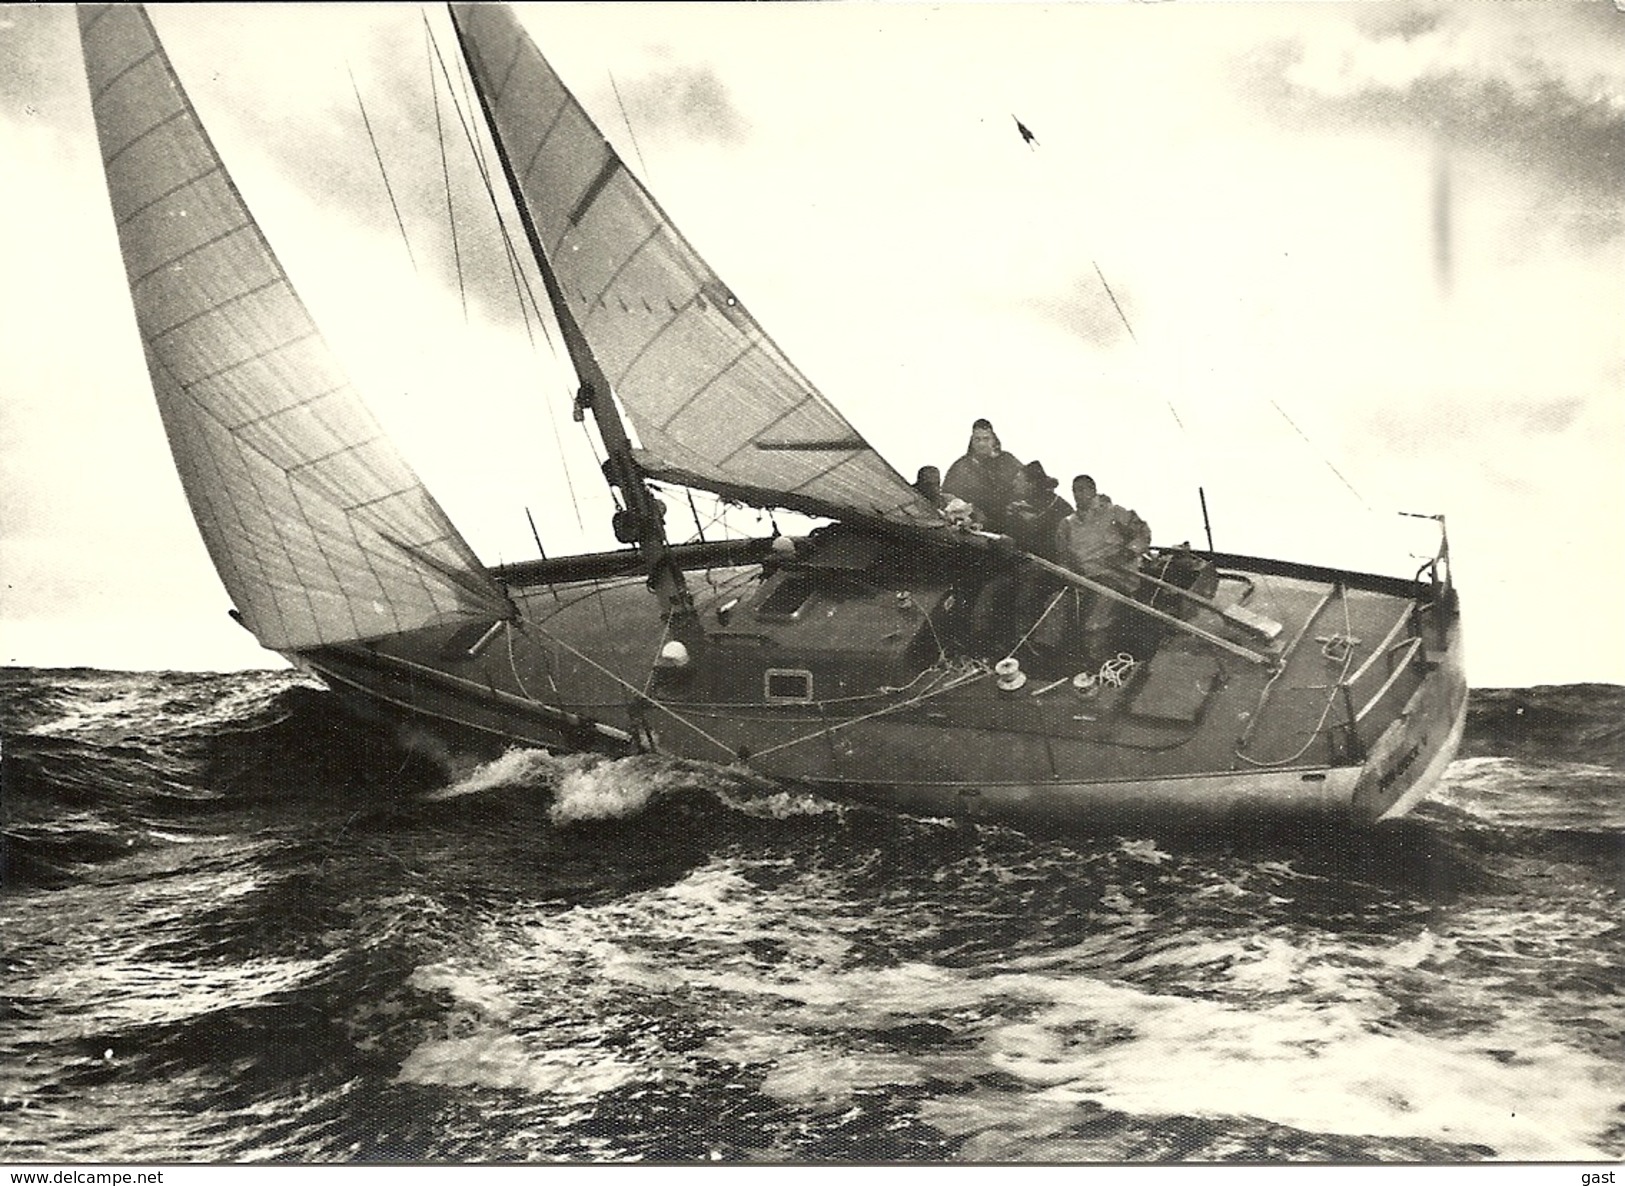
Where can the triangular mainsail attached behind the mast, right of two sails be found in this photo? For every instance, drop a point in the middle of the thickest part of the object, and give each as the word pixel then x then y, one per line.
pixel 714 400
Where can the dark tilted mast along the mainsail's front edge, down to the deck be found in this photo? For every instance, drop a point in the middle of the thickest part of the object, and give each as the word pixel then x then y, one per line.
pixel 643 522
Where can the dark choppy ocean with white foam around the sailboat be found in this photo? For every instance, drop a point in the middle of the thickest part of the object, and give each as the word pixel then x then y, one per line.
pixel 236 927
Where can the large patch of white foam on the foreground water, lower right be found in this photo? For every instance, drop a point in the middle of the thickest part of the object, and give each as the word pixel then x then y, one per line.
pixel 1307 1034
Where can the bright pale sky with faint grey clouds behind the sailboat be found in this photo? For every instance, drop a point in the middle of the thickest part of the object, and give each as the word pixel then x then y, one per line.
pixel 1322 262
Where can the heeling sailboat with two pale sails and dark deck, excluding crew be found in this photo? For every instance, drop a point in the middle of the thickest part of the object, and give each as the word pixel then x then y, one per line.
pixel 847 660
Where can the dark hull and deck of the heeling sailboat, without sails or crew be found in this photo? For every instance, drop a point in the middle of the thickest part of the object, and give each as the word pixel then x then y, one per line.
pixel 1354 716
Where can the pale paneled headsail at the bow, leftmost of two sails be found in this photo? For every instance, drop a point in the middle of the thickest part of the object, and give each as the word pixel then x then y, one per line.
pixel 318 527
